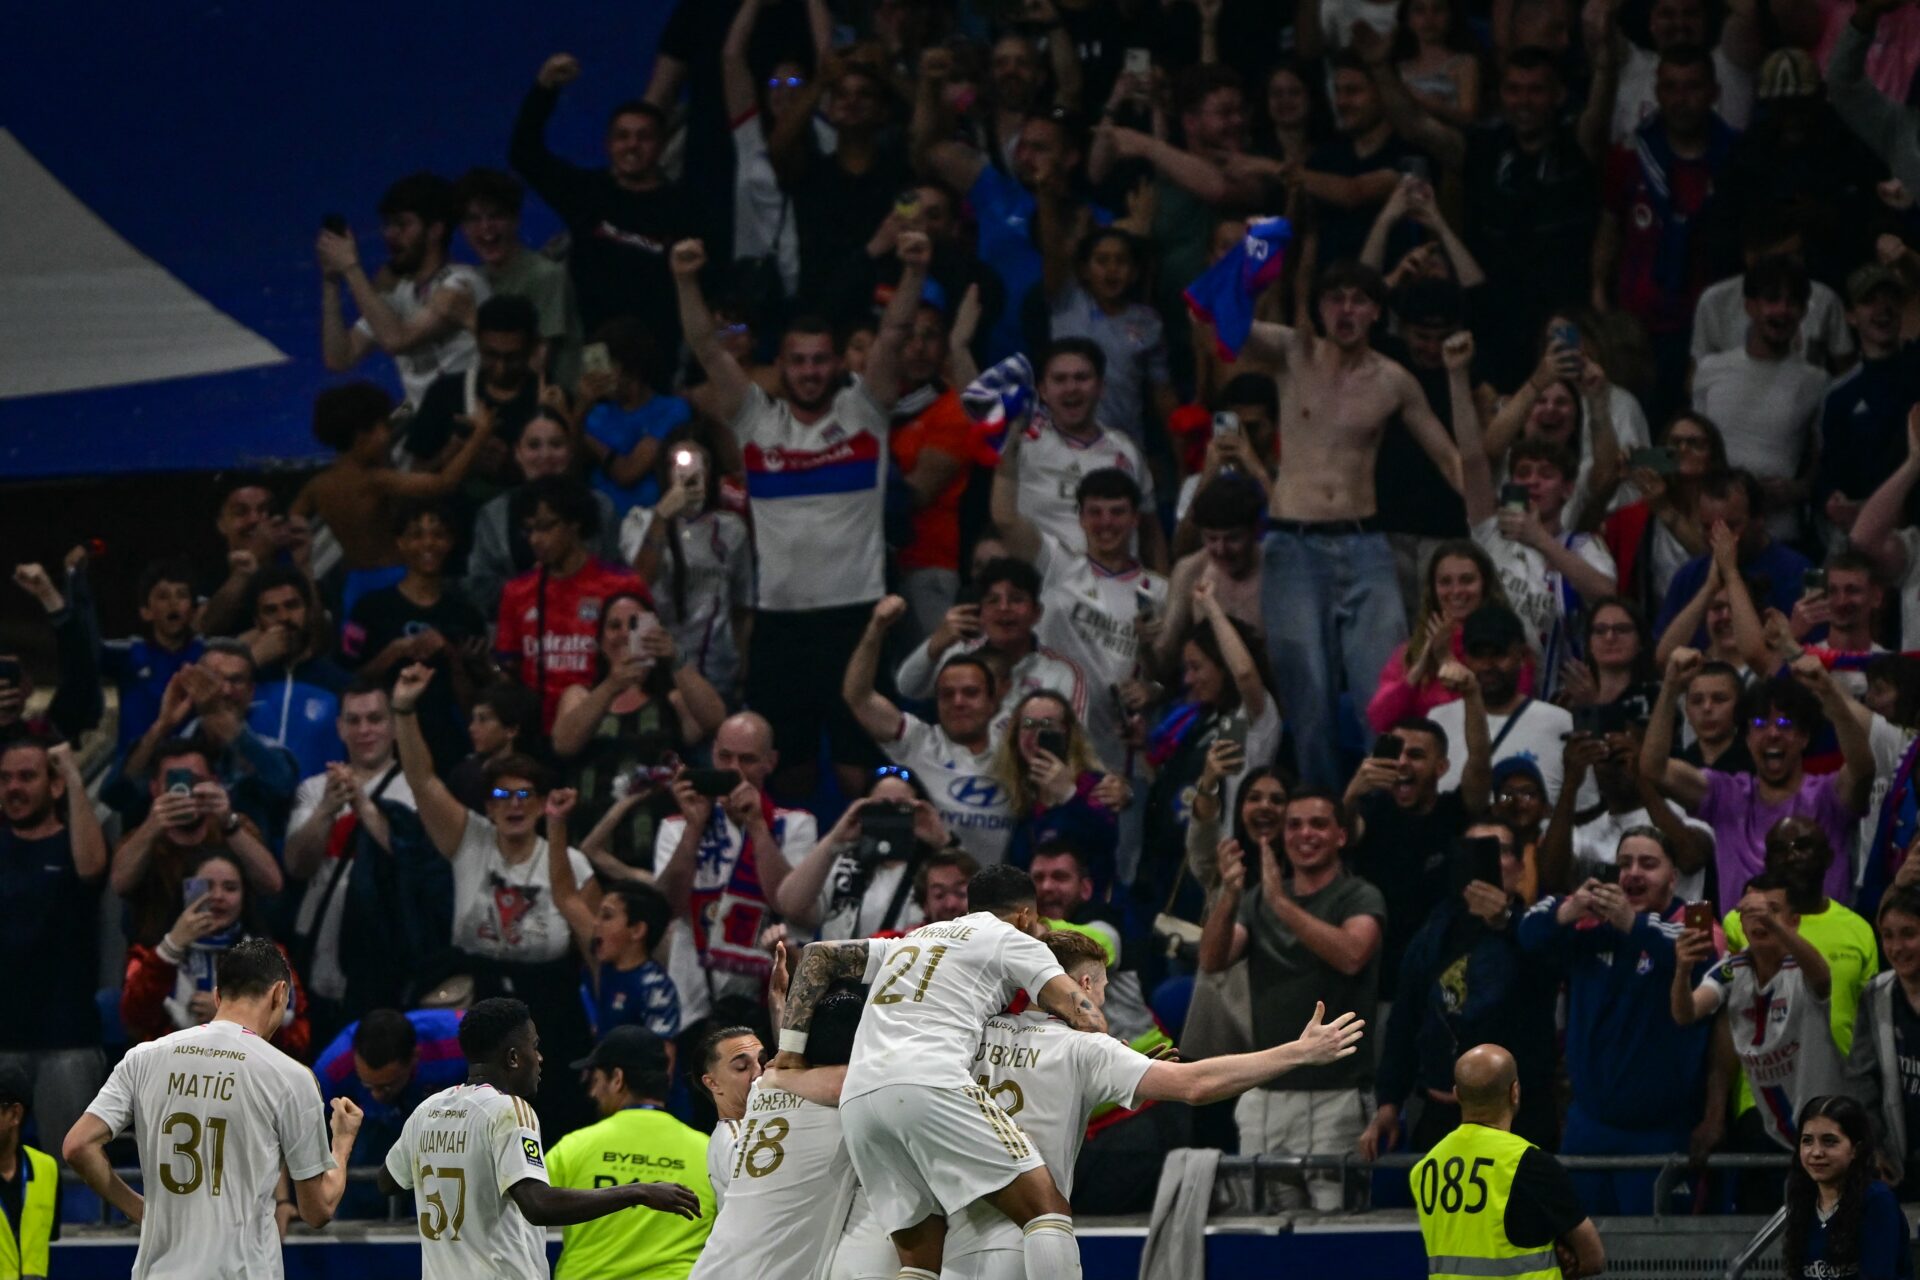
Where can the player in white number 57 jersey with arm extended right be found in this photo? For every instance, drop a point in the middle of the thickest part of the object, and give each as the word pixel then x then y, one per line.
pixel 479 1175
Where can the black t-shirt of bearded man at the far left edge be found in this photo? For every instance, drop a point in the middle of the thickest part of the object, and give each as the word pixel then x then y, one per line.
pixel 49 947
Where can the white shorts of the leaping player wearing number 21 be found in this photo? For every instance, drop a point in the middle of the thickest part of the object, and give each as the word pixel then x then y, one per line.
pixel 924 1150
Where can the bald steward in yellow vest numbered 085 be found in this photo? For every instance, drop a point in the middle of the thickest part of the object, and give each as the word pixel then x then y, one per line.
pixel 1495 1204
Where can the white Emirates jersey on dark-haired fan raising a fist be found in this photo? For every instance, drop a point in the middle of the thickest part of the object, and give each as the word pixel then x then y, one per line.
pixel 1088 615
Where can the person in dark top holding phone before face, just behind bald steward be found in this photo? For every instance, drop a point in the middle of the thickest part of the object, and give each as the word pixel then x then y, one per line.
pixel 1464 980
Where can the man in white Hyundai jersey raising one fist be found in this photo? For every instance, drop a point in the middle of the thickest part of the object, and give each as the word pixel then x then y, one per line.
pixel 951 759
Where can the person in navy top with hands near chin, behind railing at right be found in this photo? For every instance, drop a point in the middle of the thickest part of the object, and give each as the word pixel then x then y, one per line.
pixel 1637 1078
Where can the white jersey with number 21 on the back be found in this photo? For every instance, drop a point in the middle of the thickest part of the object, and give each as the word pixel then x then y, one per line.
pixel 932 995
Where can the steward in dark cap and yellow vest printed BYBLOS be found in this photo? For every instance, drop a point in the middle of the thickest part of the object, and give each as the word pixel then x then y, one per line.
pixel 636 1141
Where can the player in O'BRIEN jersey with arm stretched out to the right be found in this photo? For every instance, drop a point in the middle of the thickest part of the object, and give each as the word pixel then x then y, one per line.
pixel 1049 1079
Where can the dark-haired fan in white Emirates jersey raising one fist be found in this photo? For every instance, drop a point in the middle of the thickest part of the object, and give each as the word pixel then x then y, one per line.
pixel 1097 604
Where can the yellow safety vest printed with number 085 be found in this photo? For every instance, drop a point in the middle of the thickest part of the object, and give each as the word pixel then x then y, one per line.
pixel 1462 1191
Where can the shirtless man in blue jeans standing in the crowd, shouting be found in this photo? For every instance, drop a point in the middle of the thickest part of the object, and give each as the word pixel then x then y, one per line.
pixel 1328 577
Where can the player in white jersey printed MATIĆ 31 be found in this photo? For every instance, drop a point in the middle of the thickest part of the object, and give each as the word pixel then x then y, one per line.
pixel 216 1114
